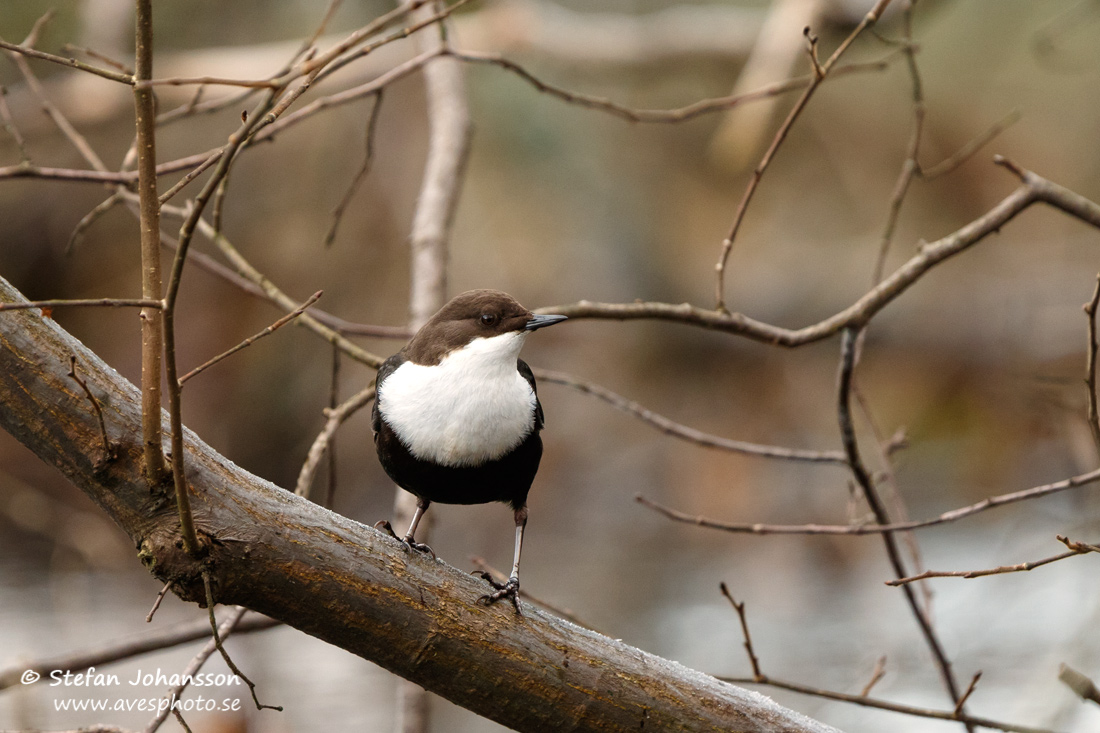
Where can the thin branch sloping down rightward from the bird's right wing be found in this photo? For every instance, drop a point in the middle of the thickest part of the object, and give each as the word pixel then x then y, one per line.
pixel 686 433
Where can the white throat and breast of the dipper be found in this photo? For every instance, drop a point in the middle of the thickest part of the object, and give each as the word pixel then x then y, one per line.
pixel 471 408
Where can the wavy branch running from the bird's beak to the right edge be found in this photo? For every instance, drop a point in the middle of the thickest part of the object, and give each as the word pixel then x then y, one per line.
pixel 1035 189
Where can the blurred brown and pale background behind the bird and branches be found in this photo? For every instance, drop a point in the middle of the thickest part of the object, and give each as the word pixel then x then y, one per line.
pixel 982 363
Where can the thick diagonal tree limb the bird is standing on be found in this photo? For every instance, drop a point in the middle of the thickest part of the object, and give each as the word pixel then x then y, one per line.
pixel 345 583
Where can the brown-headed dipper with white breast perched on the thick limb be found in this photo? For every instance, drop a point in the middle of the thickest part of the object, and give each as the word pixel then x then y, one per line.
pixel 457 419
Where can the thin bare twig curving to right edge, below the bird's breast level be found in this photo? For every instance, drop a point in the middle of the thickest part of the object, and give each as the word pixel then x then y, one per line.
pixel 954 516
